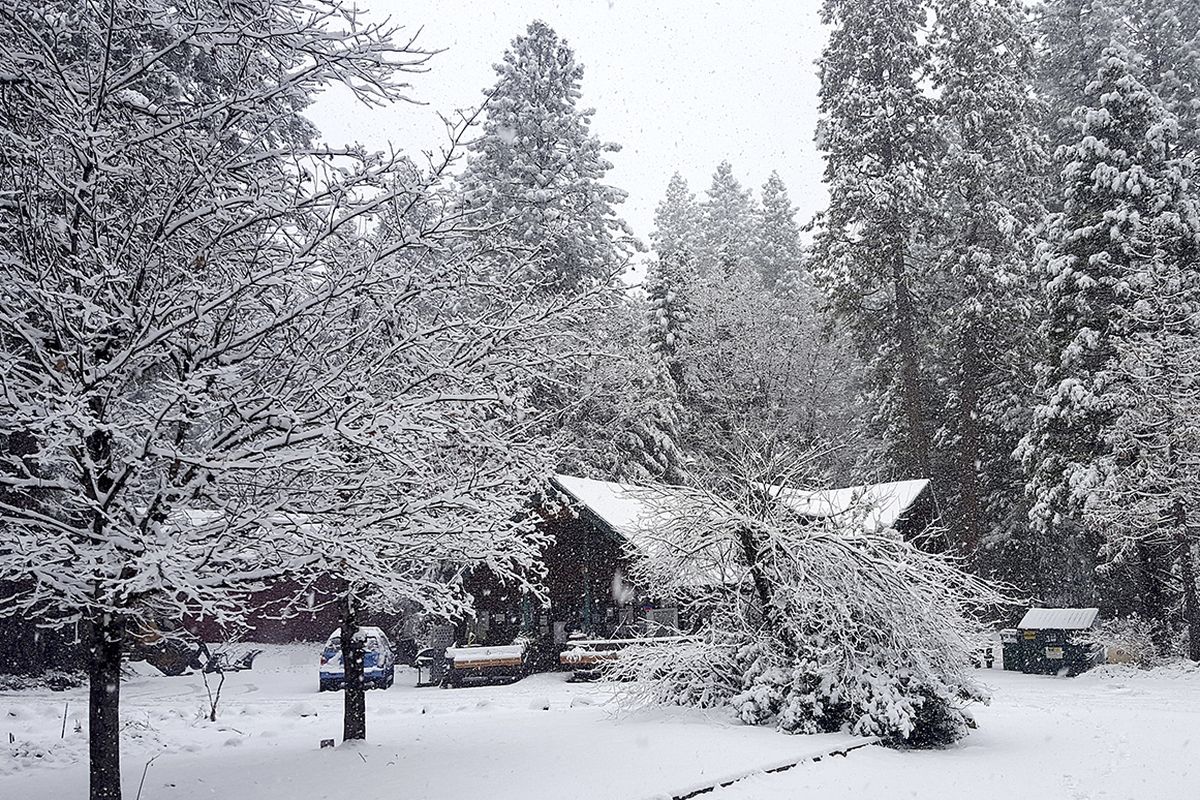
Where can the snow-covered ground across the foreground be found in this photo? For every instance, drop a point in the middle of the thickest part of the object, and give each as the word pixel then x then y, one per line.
pixel 1108 735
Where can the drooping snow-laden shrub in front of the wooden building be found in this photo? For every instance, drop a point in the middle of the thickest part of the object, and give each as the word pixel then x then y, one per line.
pixel 812 627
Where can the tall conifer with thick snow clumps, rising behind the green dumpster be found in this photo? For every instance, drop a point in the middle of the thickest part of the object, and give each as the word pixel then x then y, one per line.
pixel 1091 255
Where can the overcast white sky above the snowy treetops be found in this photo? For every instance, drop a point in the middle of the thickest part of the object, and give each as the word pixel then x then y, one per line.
pixel 681 86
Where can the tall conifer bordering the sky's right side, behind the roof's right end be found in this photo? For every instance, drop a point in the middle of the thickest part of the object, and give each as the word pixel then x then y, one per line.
pixel 875 135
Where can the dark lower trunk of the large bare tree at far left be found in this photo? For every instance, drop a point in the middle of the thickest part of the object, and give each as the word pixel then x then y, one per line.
pixel 104 708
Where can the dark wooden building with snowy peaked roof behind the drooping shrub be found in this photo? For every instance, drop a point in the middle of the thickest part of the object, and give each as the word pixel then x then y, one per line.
pixel 601 528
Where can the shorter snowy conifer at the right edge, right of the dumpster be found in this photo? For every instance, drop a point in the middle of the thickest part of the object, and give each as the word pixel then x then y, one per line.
pixel 1151 497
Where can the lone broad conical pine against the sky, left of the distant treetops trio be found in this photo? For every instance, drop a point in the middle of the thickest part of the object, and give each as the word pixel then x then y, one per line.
pixel 538 170
